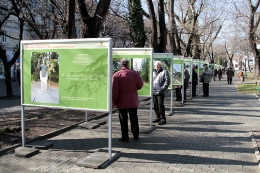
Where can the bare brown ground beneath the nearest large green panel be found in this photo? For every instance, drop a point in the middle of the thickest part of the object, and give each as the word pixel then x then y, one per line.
pixel 38 122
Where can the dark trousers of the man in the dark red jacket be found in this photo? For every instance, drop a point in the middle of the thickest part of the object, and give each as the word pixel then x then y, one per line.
pixel 124 122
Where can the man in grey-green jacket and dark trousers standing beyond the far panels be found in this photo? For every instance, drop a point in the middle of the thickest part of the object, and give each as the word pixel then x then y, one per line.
pixel 206 79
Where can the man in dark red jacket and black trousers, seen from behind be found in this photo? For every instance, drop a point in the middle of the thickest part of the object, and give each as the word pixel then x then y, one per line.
pixel 126 82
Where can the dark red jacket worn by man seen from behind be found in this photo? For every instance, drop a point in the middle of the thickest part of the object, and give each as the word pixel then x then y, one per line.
pixel 126 82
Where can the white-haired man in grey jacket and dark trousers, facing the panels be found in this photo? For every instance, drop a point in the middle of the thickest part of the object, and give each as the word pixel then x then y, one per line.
pixel 161 81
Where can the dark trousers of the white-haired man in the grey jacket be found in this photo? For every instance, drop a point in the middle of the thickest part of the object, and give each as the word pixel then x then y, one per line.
pixel 158 101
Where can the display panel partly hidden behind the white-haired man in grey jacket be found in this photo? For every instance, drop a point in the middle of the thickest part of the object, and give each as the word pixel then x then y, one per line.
pixel 167 62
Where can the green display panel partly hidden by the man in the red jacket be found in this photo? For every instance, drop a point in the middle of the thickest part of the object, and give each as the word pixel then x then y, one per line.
pixel 141 61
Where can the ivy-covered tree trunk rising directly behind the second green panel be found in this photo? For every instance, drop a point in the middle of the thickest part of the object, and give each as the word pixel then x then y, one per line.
pixel 136 23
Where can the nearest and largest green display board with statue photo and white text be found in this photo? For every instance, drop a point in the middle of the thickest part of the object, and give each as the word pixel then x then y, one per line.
pixel 66 73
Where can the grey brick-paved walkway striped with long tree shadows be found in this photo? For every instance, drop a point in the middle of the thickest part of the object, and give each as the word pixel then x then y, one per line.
pixel 206 135
